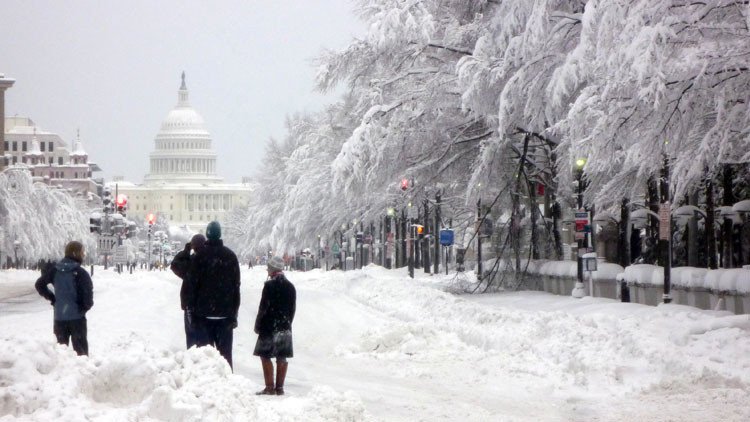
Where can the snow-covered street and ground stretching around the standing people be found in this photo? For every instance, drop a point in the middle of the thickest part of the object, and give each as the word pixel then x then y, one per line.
pixel 376 345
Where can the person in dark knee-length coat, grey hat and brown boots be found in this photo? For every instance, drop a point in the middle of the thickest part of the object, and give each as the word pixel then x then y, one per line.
pixel 273 325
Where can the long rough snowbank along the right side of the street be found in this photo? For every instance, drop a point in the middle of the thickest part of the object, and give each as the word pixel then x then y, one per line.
pixel 596 353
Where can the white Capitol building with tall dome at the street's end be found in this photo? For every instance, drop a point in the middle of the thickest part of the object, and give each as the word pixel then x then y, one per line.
pixel 182 184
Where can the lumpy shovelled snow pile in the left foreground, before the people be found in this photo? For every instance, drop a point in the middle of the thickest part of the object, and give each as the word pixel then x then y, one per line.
pixel 43 381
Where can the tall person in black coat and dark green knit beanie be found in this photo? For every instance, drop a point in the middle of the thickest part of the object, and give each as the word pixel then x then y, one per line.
pixel 213 293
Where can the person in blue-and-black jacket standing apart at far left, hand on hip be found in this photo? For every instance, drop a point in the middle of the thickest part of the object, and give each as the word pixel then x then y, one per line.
pixel 73 296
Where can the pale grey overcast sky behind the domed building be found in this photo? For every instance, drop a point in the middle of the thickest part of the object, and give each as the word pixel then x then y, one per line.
pixel 112 69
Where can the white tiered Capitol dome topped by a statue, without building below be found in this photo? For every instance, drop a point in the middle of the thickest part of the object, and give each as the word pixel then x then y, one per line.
pixel 182 150
